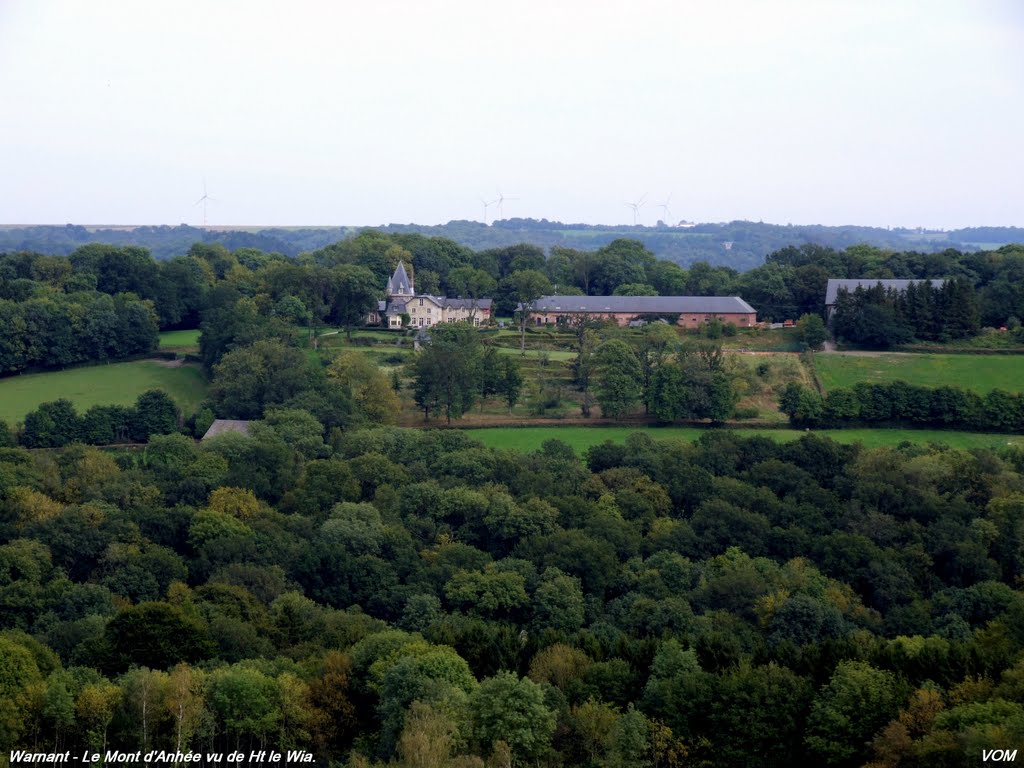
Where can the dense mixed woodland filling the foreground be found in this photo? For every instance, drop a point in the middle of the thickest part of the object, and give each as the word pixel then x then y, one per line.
pixel 412 596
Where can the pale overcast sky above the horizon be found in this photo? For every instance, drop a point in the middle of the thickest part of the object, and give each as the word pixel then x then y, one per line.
pixel 885 113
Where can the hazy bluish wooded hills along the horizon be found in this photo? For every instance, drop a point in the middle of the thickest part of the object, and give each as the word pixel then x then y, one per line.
pixel 742 245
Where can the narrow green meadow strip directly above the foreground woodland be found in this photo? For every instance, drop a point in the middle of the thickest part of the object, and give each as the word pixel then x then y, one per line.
pixel 581 439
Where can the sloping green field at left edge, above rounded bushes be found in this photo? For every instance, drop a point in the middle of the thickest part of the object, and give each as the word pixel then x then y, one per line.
pixel 117 383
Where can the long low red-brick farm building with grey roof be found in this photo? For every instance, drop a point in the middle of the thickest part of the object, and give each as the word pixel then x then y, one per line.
pixel 688 312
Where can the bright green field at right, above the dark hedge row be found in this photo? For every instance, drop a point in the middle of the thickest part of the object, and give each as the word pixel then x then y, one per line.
pixel 980 373
